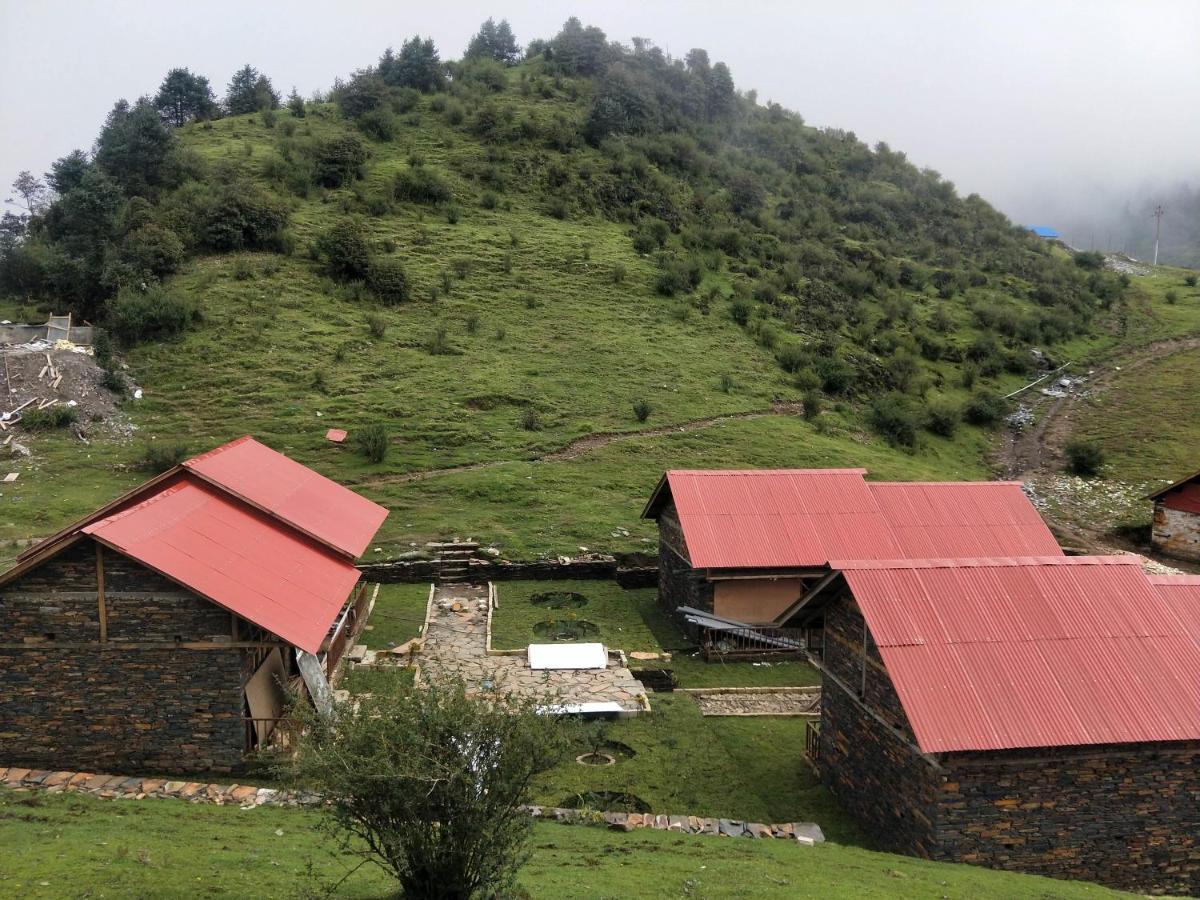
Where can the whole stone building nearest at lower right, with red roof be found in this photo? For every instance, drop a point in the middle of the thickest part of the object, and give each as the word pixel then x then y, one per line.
pixel 1039 715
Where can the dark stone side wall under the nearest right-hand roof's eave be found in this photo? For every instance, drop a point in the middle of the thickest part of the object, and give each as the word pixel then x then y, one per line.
pixel 1127 817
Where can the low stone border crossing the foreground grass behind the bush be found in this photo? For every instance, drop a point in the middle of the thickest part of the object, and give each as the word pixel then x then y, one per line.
pixel 249 796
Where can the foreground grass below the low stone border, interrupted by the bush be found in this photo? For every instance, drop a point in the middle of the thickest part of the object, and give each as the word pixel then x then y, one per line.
pixel 80 847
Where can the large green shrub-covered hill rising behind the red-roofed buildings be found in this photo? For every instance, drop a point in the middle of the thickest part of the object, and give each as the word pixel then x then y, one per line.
pixel 581 311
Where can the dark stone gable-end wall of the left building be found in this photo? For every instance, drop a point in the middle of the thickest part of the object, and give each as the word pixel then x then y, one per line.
pixel 68 701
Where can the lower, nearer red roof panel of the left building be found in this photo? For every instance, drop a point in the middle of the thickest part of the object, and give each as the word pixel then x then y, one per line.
pixel 237 557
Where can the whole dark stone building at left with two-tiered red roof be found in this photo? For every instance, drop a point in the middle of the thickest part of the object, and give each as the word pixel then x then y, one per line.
pixel 160 632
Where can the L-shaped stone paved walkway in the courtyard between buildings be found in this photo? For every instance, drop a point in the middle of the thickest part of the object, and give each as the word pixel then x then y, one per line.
pixel 455 644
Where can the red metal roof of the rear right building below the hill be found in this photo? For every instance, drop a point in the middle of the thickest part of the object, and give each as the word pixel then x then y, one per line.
pixel 766 519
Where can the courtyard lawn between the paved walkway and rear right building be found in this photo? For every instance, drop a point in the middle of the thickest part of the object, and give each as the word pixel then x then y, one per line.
pixel 632 621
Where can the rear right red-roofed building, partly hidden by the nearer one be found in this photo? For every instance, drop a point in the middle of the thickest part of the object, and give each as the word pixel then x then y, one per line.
pixel 747 545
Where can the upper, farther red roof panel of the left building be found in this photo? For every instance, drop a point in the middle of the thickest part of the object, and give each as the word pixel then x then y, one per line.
pixel 295 494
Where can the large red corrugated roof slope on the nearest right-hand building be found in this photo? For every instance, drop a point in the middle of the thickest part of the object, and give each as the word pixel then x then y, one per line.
pixel 991 655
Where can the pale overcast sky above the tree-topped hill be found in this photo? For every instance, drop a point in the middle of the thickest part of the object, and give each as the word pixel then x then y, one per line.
pixel 1035 105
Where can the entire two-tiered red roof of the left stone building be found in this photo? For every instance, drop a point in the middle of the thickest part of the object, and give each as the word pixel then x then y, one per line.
pixel 245 527
